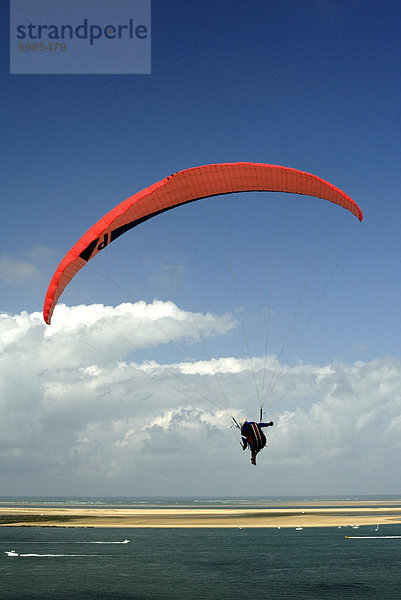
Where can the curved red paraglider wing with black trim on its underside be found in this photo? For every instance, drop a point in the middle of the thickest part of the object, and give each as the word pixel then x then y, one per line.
pixel 186 186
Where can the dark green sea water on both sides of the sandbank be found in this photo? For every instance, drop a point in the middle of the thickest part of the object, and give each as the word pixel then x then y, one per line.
pixel 85 563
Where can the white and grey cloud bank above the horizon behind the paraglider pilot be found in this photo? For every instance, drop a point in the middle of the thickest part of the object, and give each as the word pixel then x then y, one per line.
pixel 90 407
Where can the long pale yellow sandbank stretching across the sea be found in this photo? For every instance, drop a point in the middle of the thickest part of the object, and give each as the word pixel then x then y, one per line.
pixel 287 515
